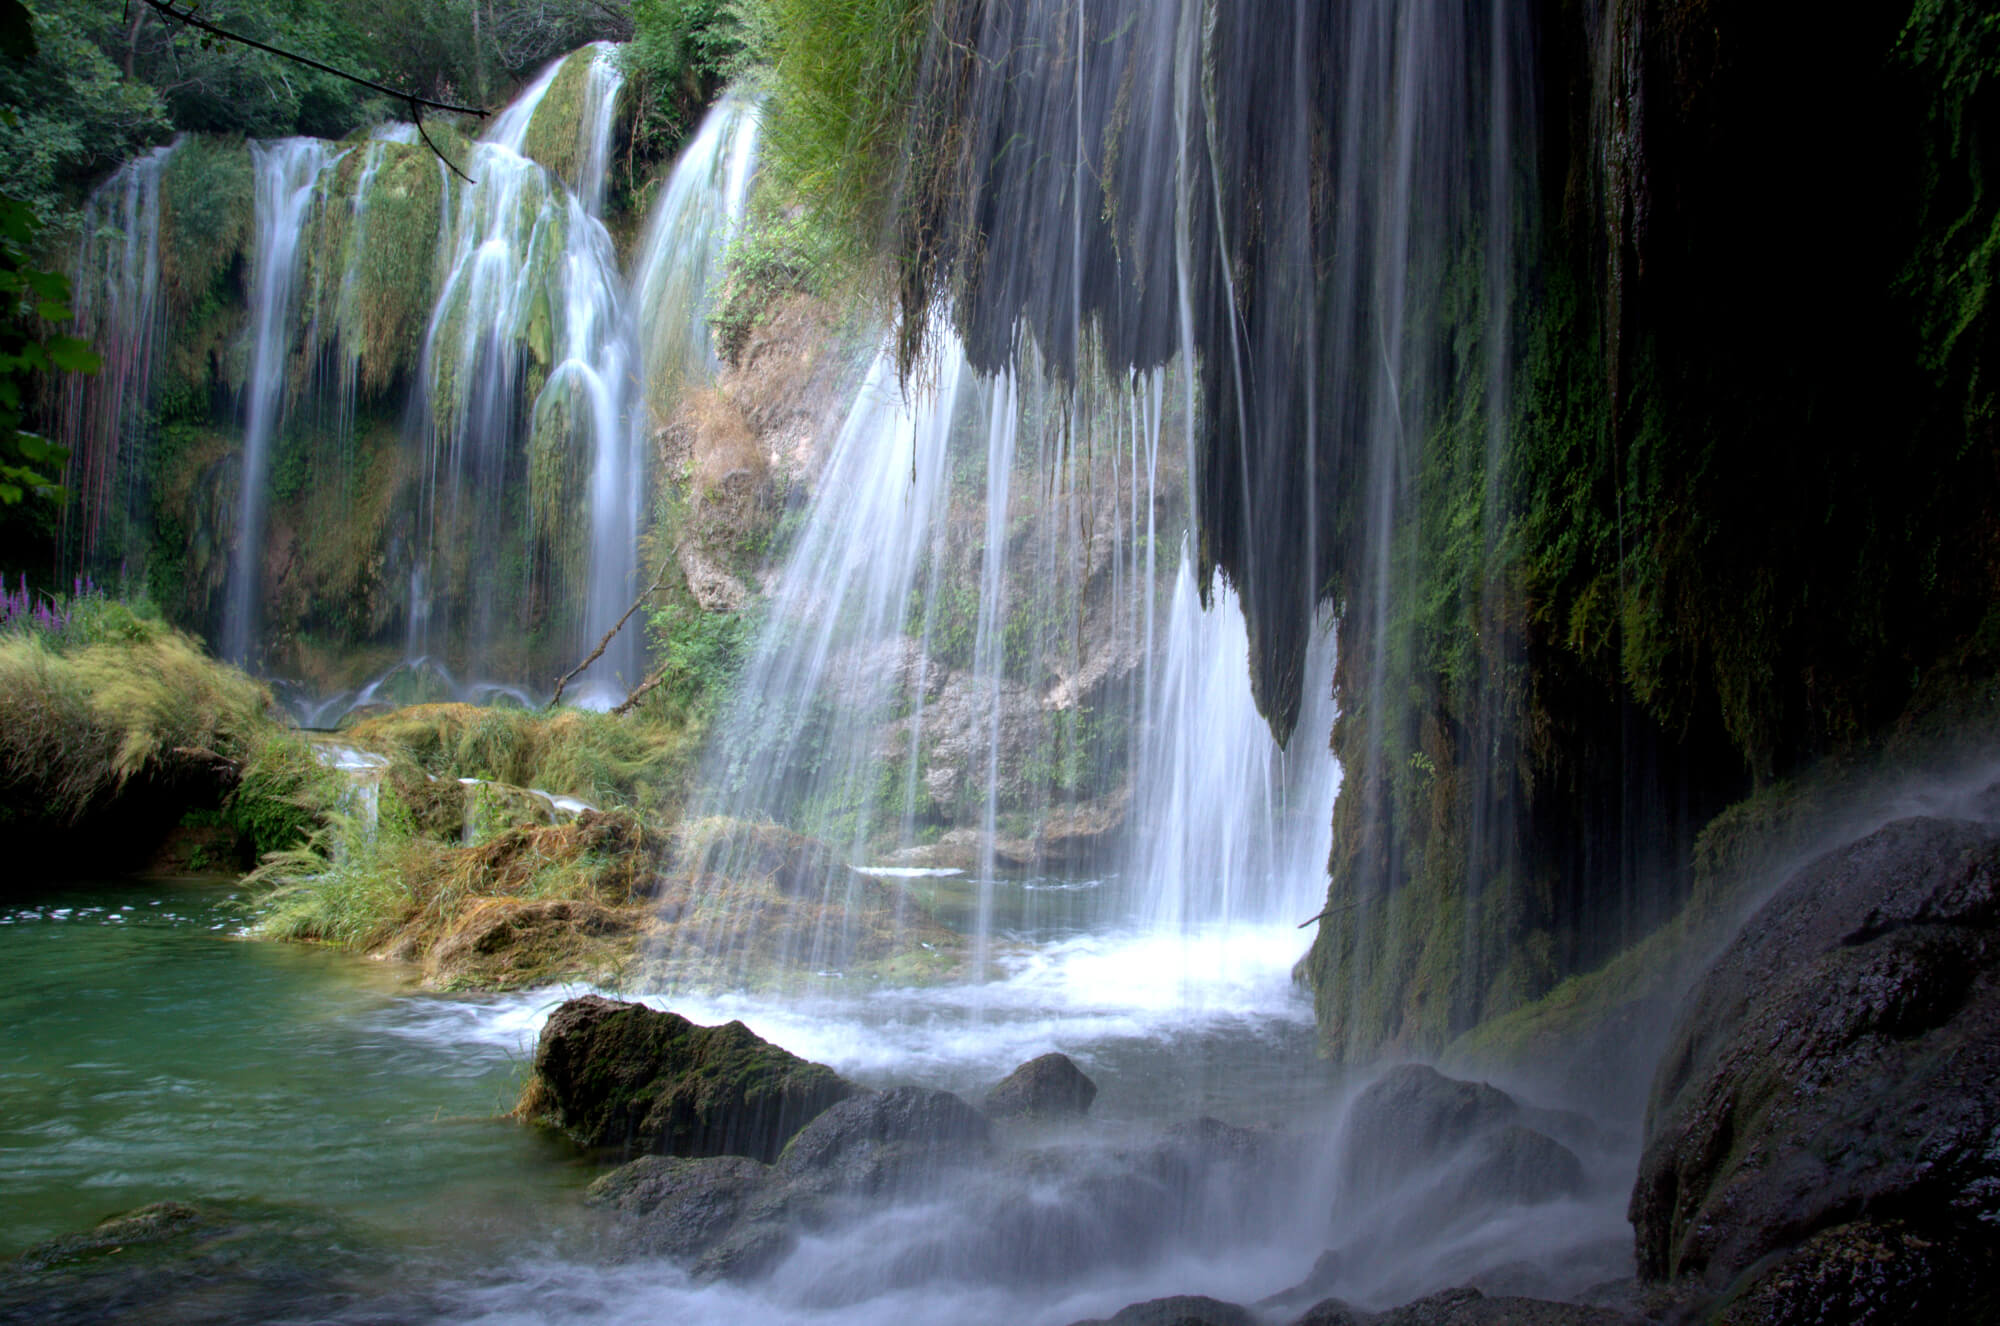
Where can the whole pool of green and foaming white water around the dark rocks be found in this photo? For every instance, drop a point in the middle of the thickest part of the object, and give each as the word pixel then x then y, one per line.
pixel 177 1061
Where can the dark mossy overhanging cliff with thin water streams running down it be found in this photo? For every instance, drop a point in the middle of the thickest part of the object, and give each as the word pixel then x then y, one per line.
pixel 1623 379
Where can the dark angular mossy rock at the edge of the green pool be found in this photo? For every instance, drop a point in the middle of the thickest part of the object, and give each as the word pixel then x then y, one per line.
pixel 625 1075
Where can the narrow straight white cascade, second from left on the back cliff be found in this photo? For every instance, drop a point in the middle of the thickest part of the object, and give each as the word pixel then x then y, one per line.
pixel 287 173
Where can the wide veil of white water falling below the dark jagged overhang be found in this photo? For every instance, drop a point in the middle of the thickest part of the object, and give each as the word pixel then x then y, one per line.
pixel 977 661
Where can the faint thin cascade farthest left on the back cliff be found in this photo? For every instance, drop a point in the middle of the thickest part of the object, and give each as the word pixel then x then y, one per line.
pixel 117 305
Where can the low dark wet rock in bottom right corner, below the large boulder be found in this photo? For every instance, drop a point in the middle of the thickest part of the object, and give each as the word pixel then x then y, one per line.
pixel 1869 1275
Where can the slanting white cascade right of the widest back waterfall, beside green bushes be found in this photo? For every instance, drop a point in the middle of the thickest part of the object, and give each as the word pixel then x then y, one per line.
pixel 681 253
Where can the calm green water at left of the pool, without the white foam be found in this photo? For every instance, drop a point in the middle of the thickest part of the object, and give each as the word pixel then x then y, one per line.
pixel 149 1053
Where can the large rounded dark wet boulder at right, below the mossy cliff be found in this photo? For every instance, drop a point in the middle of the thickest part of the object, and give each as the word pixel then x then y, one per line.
pixel 1841 1057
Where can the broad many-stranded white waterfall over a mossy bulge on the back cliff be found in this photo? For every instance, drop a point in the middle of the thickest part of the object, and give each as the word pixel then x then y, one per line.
pixel 529 351
